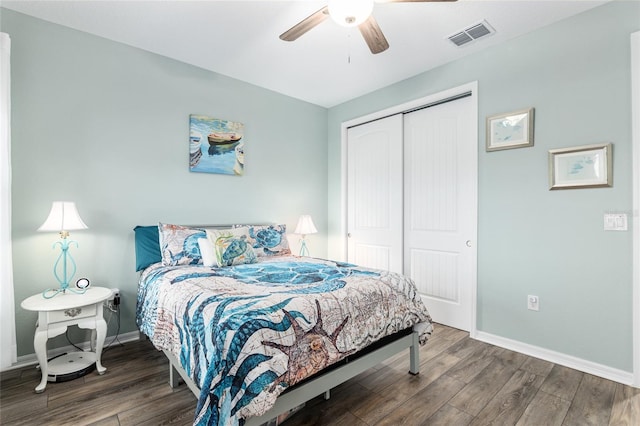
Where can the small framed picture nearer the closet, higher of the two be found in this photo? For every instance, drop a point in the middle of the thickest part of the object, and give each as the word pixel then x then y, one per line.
pixel 510 130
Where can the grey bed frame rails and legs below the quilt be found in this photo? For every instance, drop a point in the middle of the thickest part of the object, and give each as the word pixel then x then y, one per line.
pixel 322 383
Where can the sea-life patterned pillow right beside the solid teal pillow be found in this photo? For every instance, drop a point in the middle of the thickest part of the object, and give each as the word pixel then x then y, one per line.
pixel 179 244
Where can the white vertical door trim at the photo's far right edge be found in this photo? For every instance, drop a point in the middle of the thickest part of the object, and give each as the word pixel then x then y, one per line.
pixel 635 137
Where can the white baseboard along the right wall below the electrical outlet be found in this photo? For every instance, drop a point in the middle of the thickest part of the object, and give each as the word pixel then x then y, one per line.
pixel 620 376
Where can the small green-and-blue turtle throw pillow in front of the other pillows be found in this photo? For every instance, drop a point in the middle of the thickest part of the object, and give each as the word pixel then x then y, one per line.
pixel 232 247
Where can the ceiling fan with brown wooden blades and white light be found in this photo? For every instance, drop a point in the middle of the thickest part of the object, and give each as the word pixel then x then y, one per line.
pixel 349 13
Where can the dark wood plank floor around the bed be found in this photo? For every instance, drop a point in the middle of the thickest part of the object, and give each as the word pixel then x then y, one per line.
pixel 462 382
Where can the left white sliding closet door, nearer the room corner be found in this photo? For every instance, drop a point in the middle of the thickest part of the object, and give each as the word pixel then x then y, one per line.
pixel 374 194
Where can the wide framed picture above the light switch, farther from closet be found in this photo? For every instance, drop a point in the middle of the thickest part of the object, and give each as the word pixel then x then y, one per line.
pixel 587 166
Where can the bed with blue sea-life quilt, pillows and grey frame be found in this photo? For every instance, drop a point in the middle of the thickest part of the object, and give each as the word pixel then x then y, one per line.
pixel 255 331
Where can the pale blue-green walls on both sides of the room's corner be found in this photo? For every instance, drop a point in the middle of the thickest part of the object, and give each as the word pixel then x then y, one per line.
pixel 105 125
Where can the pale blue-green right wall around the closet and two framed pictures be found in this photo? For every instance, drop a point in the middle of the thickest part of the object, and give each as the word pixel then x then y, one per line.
pixel 576 74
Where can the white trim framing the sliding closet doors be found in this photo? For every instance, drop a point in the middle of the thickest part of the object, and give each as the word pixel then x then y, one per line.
pixel 433 98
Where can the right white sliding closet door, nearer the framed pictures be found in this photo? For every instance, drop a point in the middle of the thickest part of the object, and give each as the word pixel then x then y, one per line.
pixel 441 208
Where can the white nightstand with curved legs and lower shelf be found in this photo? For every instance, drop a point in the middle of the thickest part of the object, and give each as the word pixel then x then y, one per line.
pixel 58 313
